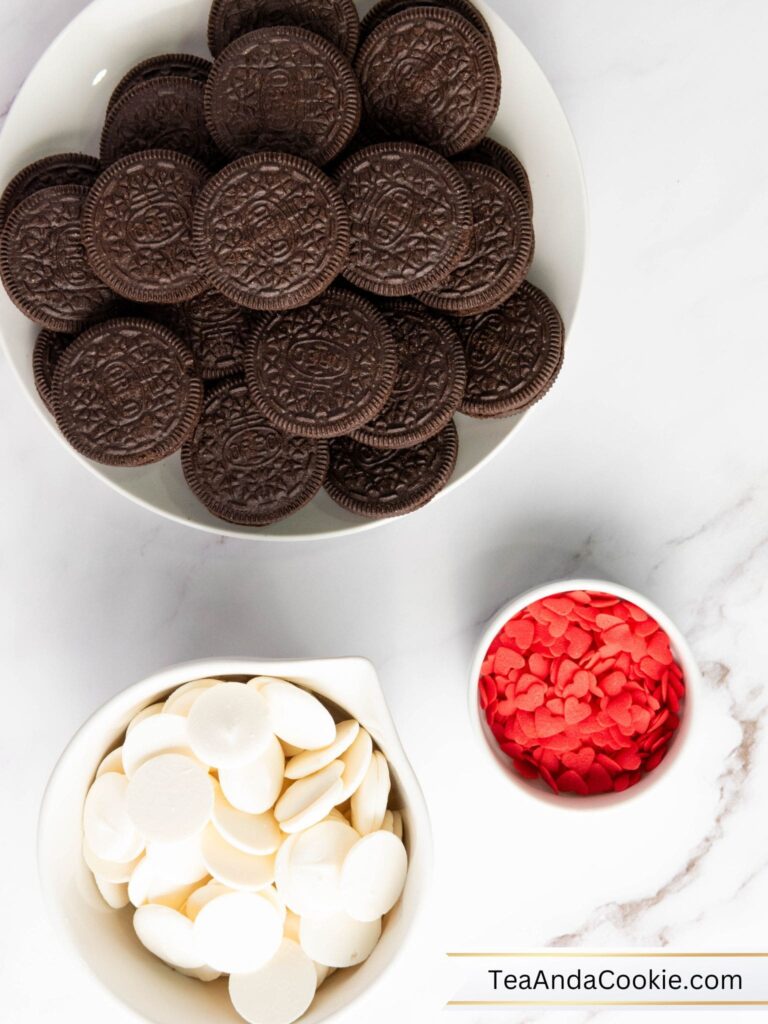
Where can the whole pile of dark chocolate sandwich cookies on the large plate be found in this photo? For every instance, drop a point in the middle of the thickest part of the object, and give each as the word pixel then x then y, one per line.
pixel 295 264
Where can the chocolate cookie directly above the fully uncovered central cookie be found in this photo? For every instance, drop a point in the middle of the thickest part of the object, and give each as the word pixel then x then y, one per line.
pixel 283 89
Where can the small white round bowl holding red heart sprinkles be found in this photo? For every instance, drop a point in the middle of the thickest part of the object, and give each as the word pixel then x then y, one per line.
pixel 539 790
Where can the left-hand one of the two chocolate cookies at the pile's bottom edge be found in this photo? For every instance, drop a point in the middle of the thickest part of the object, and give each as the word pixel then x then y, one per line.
pixel 243 468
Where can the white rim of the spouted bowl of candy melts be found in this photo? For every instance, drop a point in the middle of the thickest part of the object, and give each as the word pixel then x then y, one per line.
pixel 168 678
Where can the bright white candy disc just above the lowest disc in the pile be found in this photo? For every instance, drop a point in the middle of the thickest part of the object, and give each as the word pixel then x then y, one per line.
pixel 239 932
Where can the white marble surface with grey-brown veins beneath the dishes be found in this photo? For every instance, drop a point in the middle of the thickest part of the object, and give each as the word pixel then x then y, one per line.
pixel 648 464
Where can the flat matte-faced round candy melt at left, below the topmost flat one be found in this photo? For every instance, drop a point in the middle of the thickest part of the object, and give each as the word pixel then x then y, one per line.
pixel 170 798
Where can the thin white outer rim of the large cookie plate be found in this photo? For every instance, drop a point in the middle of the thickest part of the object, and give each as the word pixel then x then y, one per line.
pixel 364 526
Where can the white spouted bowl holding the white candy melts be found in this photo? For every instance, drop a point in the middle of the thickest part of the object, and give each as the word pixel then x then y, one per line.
pixel 105 940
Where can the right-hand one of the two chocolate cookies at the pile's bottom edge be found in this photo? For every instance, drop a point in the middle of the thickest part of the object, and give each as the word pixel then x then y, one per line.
pixel 378 485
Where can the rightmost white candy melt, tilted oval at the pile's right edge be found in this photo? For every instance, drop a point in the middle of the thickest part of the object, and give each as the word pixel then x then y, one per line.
pixel 373 876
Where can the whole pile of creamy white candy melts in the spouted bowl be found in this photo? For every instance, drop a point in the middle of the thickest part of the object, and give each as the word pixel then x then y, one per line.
pixel 252 835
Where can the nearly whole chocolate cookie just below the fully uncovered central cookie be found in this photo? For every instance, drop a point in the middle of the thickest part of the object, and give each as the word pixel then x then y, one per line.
pixel 324 370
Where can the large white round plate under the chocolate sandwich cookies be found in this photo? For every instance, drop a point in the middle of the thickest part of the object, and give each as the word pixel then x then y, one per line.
pixel 62 108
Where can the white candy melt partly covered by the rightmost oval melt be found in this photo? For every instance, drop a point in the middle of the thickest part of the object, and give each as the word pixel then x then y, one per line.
pixel 310 876
